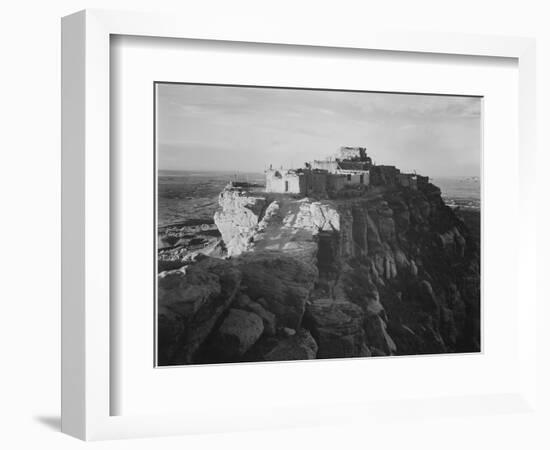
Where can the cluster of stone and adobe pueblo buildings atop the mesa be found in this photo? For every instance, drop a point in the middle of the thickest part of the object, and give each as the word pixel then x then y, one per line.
pixel 351 168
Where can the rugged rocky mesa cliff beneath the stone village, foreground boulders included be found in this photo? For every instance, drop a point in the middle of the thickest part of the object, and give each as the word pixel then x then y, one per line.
pixel 388 272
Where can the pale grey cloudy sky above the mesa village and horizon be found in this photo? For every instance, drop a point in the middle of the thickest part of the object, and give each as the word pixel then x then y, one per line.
pixel 245 129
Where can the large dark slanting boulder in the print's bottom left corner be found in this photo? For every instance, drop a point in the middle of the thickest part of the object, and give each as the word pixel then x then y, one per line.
pixel 189 305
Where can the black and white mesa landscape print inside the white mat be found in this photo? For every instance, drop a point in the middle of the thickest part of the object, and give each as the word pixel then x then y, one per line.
pixel 301 224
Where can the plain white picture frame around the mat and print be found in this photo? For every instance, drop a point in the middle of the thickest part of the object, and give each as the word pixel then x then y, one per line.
pixel 86 323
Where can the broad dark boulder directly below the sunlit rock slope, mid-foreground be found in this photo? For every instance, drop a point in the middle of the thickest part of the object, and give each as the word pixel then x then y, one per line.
pixel 279 283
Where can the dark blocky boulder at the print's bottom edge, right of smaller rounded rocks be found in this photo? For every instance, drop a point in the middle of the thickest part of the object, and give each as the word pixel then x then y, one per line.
pixel 337 326
